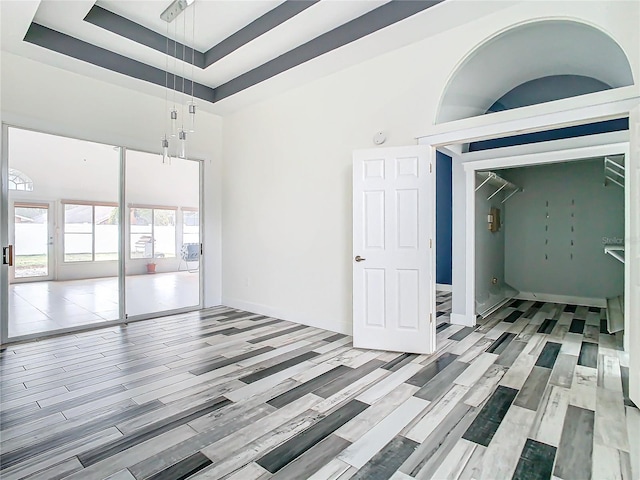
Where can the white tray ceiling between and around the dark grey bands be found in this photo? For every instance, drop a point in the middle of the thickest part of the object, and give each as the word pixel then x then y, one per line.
pixel 216 20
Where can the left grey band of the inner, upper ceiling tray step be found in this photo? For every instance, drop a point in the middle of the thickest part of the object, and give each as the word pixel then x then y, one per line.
pixel 124 27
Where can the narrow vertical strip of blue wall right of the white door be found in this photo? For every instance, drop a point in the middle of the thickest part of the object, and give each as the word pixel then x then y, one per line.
pixel 443 218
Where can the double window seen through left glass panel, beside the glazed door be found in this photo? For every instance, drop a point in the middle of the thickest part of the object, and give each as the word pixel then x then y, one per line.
pixel 90 232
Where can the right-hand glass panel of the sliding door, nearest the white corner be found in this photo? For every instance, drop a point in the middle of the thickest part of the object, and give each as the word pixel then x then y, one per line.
pixel 163 244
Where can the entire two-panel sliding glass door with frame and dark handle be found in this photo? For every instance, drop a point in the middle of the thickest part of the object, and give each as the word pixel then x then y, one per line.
pixel 94 234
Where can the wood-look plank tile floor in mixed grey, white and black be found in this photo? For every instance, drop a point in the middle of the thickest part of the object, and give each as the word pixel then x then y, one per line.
pixel 537 391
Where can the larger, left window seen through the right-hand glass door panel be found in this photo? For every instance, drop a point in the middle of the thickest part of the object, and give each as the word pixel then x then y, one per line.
pixel 152 232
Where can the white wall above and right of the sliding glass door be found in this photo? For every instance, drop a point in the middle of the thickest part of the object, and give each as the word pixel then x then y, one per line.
pixel 44 98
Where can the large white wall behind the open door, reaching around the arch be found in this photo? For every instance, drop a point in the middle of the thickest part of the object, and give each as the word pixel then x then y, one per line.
pixel 287 164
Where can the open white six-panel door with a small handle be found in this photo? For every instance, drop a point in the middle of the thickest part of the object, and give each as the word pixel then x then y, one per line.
pixel 393 249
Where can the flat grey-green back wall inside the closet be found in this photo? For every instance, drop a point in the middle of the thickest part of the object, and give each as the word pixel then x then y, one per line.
pixel 561 204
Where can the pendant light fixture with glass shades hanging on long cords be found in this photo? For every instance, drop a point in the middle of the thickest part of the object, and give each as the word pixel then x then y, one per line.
pixel 176 127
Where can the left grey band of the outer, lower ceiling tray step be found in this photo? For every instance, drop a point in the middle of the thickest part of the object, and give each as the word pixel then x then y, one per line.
pixel 73 47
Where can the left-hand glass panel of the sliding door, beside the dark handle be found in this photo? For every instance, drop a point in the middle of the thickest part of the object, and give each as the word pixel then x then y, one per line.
pixel 64 195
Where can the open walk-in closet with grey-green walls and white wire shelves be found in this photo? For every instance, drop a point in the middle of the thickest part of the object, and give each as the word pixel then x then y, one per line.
pixel 553 233
